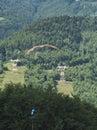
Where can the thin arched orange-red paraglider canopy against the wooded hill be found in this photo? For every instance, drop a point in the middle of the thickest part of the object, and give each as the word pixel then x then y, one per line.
pixel 40 46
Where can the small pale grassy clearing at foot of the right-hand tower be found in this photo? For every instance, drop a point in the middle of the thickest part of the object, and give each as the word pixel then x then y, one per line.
pixel 65 87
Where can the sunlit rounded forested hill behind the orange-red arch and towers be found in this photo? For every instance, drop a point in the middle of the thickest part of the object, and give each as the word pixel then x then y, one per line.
pixel 76 39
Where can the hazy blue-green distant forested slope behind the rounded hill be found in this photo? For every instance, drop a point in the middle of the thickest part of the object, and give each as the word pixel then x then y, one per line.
pixel 15 14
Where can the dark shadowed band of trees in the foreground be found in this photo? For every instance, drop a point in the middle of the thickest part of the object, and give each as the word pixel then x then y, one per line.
pixel 53 111
